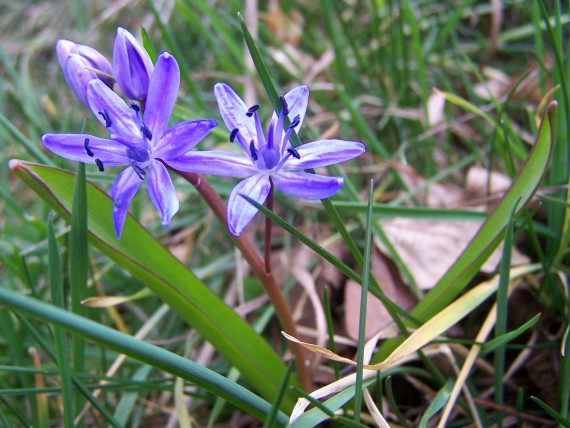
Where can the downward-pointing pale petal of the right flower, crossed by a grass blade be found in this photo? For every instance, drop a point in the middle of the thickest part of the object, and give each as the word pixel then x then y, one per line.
pixel 240 211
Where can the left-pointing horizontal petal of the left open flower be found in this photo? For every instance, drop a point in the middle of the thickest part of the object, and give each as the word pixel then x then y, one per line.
pixel 74 147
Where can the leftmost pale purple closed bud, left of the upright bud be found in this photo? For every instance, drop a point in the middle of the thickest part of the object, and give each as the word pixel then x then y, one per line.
pixel 81 64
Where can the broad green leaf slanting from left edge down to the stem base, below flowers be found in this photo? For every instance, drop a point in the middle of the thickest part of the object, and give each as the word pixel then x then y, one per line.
pixel 140 254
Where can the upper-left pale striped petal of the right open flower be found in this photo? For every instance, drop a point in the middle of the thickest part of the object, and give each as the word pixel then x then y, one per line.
pixel 233 110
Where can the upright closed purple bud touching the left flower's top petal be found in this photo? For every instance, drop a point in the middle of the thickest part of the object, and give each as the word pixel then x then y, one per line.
pixel 132 67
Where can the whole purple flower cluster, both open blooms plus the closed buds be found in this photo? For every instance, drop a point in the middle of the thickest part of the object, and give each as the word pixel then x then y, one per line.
pixel 140 137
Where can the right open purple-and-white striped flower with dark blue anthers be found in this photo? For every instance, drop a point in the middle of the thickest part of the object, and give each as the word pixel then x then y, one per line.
pixel 270 160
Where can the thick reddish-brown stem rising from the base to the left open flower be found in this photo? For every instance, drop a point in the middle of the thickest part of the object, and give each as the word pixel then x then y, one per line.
pixel 249 252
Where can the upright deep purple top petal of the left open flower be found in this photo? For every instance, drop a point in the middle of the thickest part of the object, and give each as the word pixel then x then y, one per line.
pixel 162 93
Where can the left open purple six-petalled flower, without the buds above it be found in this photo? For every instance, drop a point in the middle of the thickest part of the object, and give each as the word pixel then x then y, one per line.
pixel 139 141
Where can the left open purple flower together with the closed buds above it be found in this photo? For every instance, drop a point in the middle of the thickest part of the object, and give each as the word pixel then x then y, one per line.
pixel 139 139
